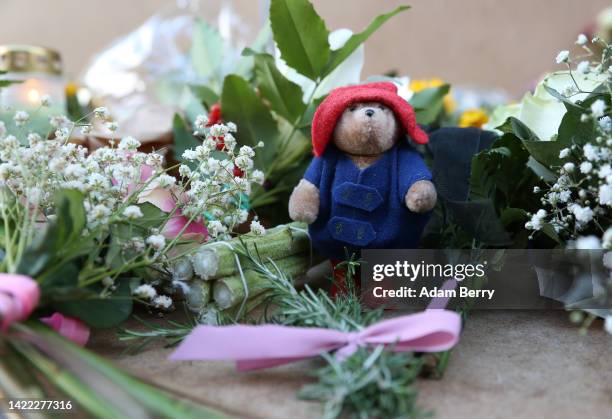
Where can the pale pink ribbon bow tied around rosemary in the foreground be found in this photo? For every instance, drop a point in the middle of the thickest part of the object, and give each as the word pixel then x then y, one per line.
pixel 255 347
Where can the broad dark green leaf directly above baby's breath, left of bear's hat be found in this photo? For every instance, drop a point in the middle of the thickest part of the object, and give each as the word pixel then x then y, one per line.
pixel 241 105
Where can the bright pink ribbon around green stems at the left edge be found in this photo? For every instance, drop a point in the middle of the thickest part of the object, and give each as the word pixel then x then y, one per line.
pixel 19 296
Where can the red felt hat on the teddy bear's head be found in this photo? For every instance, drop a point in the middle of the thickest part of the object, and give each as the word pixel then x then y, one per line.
pixel 330 110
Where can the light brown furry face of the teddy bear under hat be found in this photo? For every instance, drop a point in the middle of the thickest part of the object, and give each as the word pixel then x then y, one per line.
pixel 366 129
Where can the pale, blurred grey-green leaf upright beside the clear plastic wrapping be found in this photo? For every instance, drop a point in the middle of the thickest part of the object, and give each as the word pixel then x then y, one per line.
pixel 206 49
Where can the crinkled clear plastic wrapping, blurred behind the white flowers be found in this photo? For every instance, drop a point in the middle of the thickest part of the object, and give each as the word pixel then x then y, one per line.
pixel 144 77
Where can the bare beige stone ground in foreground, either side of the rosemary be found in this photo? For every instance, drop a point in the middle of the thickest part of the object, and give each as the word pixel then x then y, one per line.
pixel 509 364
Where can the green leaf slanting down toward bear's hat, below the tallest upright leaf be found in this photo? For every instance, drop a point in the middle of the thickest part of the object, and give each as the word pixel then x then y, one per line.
pixel 285 97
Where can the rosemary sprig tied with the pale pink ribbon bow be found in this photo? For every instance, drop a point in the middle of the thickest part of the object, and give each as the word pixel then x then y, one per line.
pixel 371 383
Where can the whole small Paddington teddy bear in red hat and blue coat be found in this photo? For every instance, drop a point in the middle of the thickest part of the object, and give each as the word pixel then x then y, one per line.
pixel 366 186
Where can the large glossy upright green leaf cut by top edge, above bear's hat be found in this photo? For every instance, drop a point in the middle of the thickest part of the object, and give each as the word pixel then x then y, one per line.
pixel 301 36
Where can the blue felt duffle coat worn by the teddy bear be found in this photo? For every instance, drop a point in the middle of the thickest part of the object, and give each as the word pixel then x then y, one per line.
pixel 365 208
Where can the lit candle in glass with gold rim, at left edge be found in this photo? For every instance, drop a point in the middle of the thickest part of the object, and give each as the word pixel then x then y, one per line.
pixel 39 71
